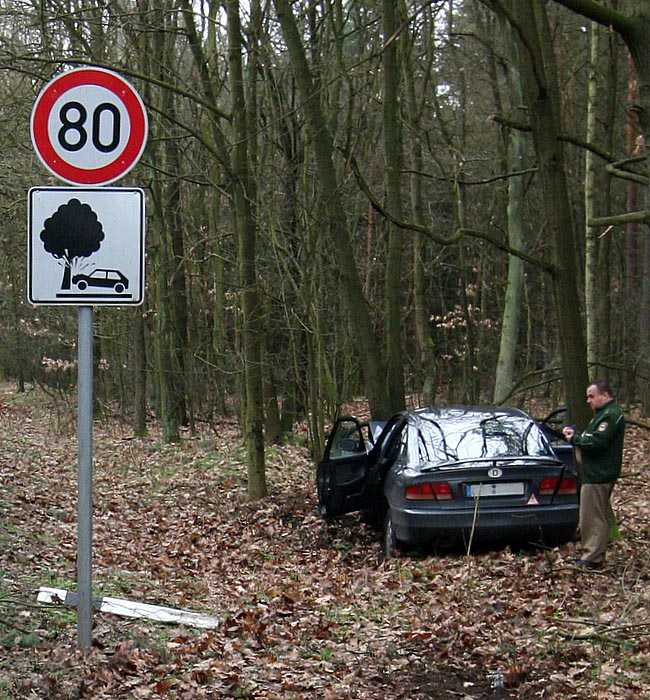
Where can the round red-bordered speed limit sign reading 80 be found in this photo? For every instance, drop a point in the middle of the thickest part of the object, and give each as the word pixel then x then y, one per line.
pixel 89 126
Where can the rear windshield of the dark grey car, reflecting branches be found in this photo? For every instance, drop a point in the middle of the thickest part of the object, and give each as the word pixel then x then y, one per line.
pixel 474 436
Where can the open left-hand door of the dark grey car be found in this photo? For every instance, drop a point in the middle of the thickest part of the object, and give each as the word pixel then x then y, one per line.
pixel 341 476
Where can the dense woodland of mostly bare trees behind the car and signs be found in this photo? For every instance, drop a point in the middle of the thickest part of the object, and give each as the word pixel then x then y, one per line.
pixel 408 200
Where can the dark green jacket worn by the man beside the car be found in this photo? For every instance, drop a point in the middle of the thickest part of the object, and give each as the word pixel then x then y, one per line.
pixel 601 445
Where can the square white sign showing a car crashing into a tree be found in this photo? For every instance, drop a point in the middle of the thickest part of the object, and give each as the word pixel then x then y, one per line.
pixel 86 246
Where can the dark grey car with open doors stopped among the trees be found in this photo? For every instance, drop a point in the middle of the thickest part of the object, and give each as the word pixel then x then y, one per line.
pixel 451 475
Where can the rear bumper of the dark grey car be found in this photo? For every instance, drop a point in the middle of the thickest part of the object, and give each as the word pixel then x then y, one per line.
pixel 551 524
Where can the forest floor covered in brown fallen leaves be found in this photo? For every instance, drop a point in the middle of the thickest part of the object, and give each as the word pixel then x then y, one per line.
pixel 307 609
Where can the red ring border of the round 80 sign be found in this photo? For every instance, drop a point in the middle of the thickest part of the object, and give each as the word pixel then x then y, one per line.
pixel 127 158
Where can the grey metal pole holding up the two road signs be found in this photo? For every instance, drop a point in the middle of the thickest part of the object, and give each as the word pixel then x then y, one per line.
pixel 84 477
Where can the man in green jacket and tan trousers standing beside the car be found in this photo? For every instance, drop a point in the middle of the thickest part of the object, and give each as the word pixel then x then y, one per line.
pixel 601 448
